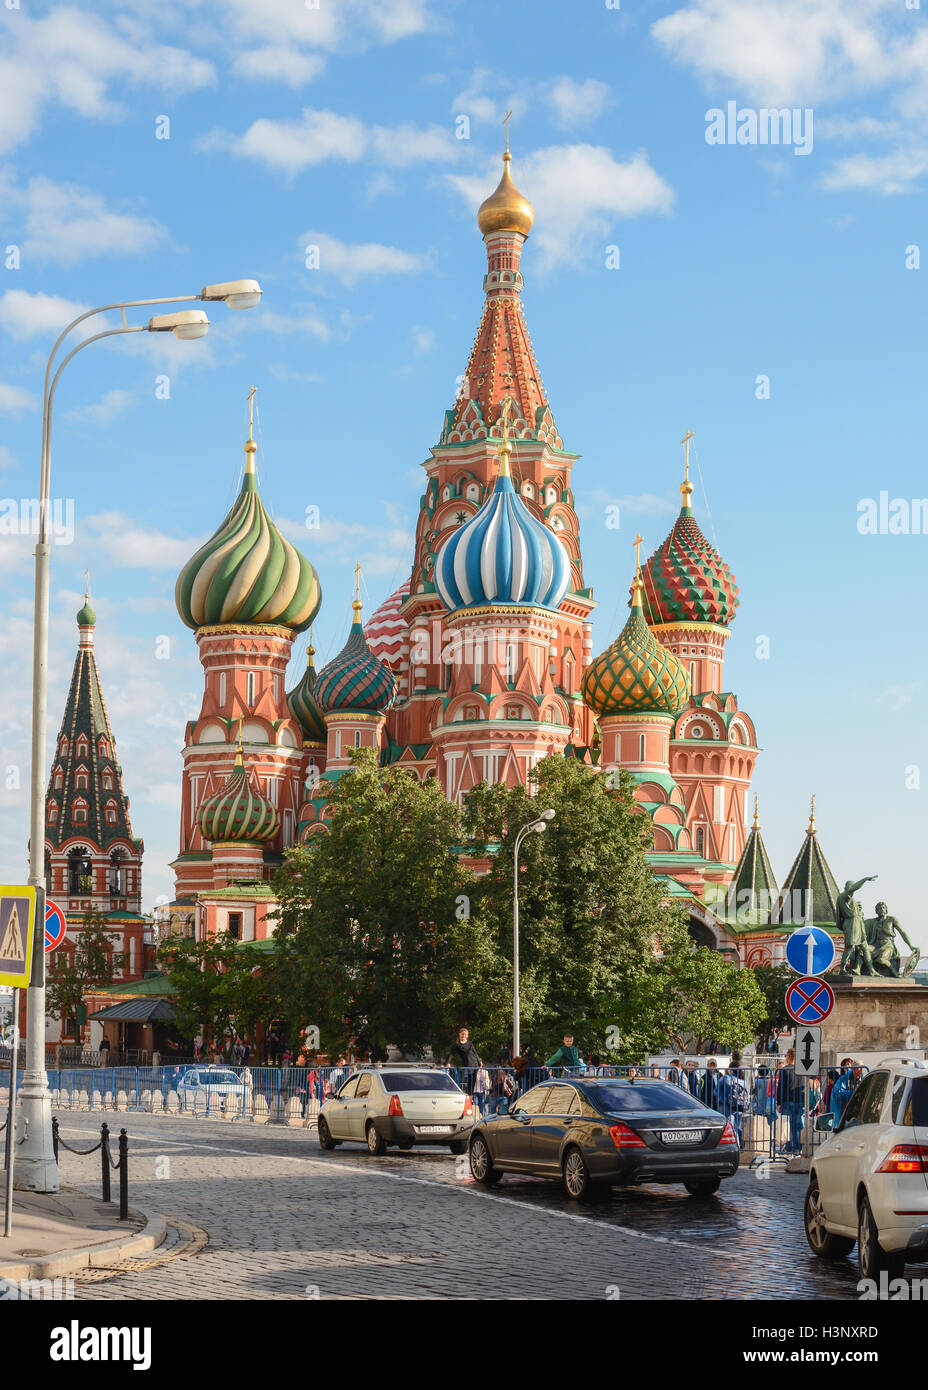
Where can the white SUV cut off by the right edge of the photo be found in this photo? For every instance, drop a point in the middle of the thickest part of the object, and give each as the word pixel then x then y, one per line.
pixel 869 1182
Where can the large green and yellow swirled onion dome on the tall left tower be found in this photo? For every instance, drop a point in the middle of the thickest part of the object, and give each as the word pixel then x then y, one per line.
pixel 248 572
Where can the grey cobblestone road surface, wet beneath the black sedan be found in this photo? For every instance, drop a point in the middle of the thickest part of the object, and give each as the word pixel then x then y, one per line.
pixel 283 1220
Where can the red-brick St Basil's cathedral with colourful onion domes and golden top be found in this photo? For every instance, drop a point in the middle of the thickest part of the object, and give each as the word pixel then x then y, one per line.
pixel 477 668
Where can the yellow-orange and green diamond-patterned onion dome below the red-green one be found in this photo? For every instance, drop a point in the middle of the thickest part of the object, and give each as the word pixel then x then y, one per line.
pixel 637 675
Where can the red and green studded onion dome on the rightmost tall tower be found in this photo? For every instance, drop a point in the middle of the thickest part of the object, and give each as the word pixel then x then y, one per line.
pixel 687 579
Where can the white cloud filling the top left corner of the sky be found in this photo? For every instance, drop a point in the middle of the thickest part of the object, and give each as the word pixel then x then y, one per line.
pixel 73 59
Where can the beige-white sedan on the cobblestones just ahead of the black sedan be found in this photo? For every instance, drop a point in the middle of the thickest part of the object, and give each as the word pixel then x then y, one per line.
pixel 401 1106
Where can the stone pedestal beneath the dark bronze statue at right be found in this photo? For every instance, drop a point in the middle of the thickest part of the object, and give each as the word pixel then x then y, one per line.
pixel 875 1014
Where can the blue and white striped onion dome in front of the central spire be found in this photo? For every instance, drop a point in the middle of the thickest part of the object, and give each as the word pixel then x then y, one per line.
pixel 504 555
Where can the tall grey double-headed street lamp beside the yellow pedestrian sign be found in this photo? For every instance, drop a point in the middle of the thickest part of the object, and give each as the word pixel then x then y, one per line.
pixel 37 1170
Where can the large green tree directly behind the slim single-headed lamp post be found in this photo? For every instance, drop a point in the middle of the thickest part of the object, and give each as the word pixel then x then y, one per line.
pixel 591 914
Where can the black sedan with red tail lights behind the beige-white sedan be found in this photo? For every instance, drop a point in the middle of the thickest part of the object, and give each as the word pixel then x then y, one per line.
pixel 602 1131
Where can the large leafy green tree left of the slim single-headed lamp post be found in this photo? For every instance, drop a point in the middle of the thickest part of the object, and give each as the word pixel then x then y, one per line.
pixel 366 940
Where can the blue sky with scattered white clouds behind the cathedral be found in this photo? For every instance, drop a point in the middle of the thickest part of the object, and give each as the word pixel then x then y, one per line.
pixel 340 127
